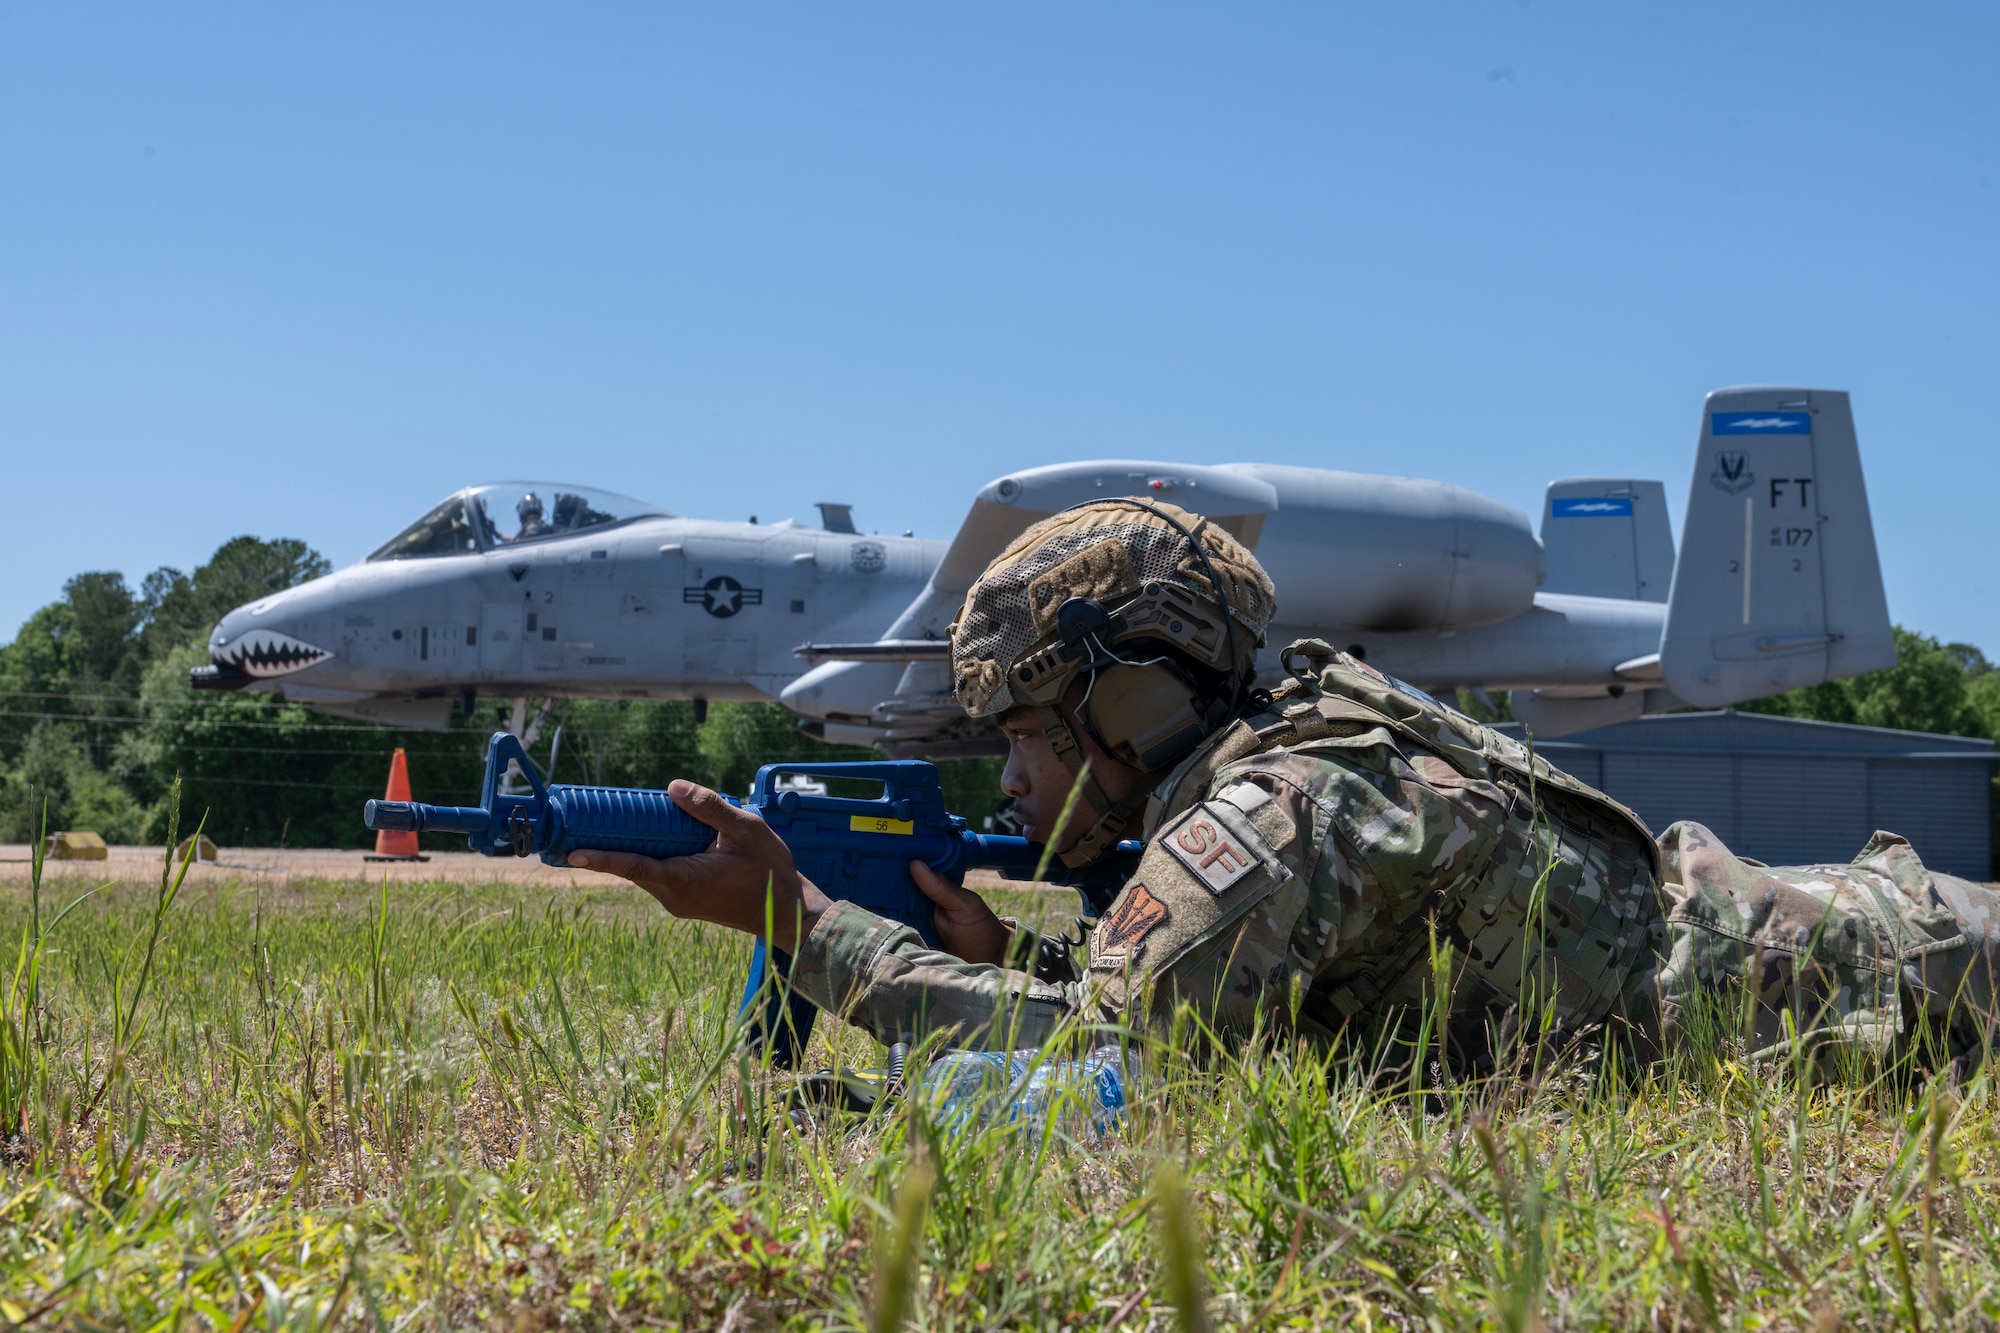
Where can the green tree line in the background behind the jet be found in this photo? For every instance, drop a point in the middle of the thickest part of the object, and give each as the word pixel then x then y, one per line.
pixel 97 722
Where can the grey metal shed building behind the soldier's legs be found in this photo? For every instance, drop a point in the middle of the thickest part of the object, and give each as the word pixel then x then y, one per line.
pixel 1791 792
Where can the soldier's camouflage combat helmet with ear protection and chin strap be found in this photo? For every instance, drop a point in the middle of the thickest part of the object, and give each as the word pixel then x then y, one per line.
pixel 1155 609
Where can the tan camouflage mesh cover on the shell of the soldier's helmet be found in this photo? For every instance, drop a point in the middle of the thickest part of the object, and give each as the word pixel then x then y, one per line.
pixel 1105 551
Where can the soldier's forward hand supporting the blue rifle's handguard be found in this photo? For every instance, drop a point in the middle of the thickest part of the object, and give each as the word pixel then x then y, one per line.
pixel 745 880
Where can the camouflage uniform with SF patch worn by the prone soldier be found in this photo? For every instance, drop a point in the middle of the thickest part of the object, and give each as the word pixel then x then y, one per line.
pixel 1303 860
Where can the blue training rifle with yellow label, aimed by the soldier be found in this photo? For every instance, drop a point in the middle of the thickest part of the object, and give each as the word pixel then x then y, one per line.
pixel 851 848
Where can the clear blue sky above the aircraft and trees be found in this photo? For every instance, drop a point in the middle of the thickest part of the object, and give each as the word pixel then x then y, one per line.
pixel 297 271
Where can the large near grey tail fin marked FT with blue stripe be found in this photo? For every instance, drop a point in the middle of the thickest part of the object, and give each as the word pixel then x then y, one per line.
pixel 1777 583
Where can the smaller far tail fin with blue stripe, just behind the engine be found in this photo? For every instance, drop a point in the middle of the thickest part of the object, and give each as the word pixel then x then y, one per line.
pixel 1607 537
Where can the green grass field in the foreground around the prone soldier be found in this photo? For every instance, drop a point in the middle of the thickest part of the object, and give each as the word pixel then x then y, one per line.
pixel 503 1106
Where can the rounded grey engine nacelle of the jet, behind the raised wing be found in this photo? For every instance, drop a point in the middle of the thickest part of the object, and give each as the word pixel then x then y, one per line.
pixel 1391 553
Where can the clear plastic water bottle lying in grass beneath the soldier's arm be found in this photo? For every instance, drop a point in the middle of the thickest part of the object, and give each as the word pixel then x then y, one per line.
pixel 1025 1086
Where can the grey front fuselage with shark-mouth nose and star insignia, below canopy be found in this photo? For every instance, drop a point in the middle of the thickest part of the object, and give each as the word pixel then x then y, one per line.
pixel 655 607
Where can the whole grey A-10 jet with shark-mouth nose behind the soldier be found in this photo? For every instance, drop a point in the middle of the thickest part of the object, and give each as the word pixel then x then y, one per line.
pixel 547 591
